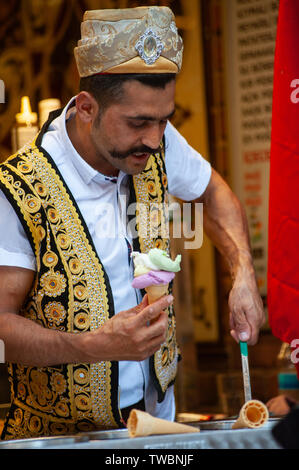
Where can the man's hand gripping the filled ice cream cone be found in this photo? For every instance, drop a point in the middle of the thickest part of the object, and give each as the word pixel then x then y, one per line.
pixel 131 335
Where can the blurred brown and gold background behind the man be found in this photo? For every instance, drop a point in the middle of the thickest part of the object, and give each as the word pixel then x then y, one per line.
pixel 224 97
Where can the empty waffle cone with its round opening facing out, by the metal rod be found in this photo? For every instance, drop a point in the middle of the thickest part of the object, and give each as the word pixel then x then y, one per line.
pixel 254 414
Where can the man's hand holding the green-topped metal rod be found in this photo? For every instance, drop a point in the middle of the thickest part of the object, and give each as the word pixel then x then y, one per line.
pixel 246 307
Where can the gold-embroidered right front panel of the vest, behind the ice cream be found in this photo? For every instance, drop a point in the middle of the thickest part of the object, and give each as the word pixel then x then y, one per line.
pixel 151 192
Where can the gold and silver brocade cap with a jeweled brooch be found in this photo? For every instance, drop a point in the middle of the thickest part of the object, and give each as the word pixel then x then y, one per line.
pixel 130 40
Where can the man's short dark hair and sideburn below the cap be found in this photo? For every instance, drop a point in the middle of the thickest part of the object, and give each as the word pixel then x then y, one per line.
pixel 108 89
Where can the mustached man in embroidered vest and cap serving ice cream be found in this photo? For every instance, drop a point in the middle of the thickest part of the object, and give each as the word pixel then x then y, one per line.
pixel 84 347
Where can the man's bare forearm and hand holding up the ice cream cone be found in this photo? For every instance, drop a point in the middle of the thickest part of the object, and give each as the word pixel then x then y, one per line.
pixel 126 336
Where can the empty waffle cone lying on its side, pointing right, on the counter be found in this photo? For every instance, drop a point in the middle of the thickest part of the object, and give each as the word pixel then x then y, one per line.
pixel 141 423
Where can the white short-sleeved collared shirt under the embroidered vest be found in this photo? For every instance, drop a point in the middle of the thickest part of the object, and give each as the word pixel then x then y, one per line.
pixel 188 176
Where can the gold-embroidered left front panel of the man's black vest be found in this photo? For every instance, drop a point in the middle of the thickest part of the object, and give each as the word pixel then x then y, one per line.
pixel 68 266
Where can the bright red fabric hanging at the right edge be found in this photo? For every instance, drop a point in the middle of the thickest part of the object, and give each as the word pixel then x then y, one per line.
pixel 283 264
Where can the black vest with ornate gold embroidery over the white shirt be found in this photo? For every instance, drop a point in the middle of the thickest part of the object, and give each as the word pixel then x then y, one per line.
pixel 72 293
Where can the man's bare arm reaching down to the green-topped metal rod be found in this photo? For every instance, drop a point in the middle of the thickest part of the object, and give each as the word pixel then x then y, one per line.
pixel 225 223
